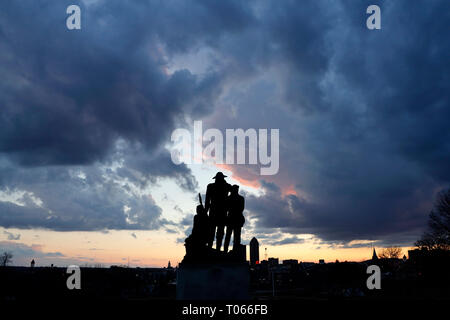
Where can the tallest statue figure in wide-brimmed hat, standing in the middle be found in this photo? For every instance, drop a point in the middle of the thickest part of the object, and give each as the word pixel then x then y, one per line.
pixel 216 204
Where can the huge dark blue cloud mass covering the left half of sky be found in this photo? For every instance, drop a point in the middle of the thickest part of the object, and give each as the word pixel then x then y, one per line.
pixel 85 100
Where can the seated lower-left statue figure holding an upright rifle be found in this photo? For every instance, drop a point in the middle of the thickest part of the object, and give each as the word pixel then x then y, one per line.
pixel 196 243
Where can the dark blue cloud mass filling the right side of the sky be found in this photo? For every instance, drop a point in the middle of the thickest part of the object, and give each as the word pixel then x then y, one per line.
pixel 383 158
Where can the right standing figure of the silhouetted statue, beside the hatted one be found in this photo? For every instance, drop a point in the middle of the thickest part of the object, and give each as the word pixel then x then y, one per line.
pixel 235 218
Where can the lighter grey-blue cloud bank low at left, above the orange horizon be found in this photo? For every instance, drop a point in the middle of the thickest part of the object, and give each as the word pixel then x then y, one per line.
pixel 75 198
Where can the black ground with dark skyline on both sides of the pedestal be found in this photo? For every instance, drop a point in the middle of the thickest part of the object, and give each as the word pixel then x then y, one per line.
pixel 425 278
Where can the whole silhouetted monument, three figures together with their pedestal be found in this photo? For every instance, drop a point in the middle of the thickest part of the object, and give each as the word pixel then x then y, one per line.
pixel 208 273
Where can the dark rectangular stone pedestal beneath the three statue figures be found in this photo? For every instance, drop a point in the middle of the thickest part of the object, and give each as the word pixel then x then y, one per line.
pixel 213 281
